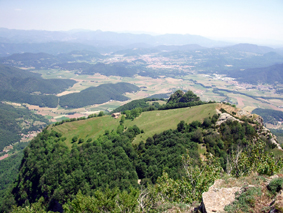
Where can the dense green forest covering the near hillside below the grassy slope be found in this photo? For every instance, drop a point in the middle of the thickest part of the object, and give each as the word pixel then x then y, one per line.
pixel 52 174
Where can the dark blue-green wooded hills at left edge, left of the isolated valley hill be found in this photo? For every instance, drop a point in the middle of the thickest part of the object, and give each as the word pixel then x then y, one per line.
pixel 17 86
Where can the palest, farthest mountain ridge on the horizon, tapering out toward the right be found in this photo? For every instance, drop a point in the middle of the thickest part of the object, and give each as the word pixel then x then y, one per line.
pixel 100 38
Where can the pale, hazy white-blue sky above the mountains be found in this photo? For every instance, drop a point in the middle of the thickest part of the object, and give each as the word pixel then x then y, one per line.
pixel 255 20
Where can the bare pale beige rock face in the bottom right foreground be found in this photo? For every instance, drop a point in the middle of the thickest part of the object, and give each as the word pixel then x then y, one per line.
pixel 216 198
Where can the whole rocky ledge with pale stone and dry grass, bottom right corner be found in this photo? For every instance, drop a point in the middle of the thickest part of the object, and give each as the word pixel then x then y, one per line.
pixel 222 193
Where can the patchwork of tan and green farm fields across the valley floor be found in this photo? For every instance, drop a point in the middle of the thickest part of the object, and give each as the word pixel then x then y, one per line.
pixel 200 84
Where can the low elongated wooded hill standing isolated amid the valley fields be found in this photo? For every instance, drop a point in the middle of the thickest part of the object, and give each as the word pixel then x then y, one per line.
pixel 97 95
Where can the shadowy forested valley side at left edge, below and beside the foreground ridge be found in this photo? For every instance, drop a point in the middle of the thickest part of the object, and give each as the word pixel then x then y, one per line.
pixel 13 122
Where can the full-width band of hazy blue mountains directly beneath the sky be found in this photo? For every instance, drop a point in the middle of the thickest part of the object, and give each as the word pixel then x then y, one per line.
pixel 58 42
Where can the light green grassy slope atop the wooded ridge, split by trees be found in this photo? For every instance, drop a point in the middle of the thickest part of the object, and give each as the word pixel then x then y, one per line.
pixel 151 122
